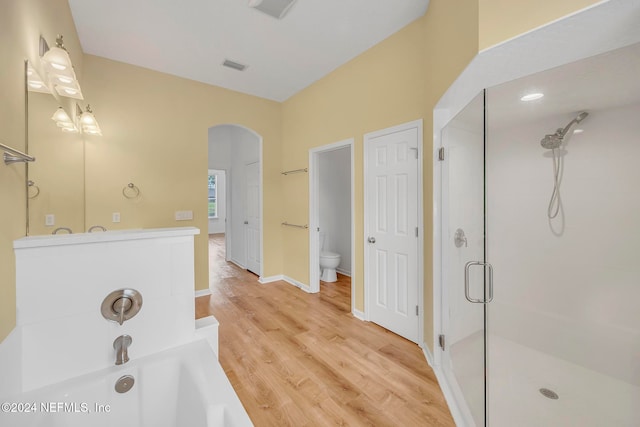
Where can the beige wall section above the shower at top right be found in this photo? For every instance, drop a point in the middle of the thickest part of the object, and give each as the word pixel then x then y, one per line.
pixel 502 20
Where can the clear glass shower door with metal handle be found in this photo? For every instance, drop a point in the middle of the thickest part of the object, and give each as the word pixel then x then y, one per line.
pixel 466 278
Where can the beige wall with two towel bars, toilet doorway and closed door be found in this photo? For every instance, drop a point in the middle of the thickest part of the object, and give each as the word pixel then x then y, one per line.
pixel 396 81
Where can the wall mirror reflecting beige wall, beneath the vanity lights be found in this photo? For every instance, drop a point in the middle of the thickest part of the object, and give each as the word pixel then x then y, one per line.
pixel 56 190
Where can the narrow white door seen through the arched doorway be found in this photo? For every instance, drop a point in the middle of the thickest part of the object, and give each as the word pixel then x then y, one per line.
pixel 252 221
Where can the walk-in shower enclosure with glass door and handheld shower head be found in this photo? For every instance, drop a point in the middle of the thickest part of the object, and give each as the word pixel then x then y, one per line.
pixel 540 324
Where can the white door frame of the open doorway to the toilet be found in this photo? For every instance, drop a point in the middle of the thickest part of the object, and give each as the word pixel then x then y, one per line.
pixel 314 215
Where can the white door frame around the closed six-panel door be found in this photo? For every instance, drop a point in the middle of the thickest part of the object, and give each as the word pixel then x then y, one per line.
pixel 416 124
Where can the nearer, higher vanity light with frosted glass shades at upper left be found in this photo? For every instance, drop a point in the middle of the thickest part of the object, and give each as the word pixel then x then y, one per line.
pixel 60 69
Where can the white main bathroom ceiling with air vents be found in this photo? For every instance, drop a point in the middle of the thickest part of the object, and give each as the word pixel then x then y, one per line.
pixel 191 38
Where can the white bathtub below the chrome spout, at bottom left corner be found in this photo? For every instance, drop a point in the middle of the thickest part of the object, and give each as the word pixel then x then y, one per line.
pixel 183 386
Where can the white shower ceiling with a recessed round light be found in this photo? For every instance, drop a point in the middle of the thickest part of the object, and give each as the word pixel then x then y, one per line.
pixel 597 83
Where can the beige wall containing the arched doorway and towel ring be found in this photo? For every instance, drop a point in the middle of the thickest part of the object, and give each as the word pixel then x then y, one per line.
pixel 155 130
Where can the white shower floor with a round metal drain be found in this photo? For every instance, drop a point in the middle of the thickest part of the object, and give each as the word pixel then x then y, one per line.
pixel 517 373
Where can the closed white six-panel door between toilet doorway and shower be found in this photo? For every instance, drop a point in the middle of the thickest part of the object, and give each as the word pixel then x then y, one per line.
pixel 391 239
